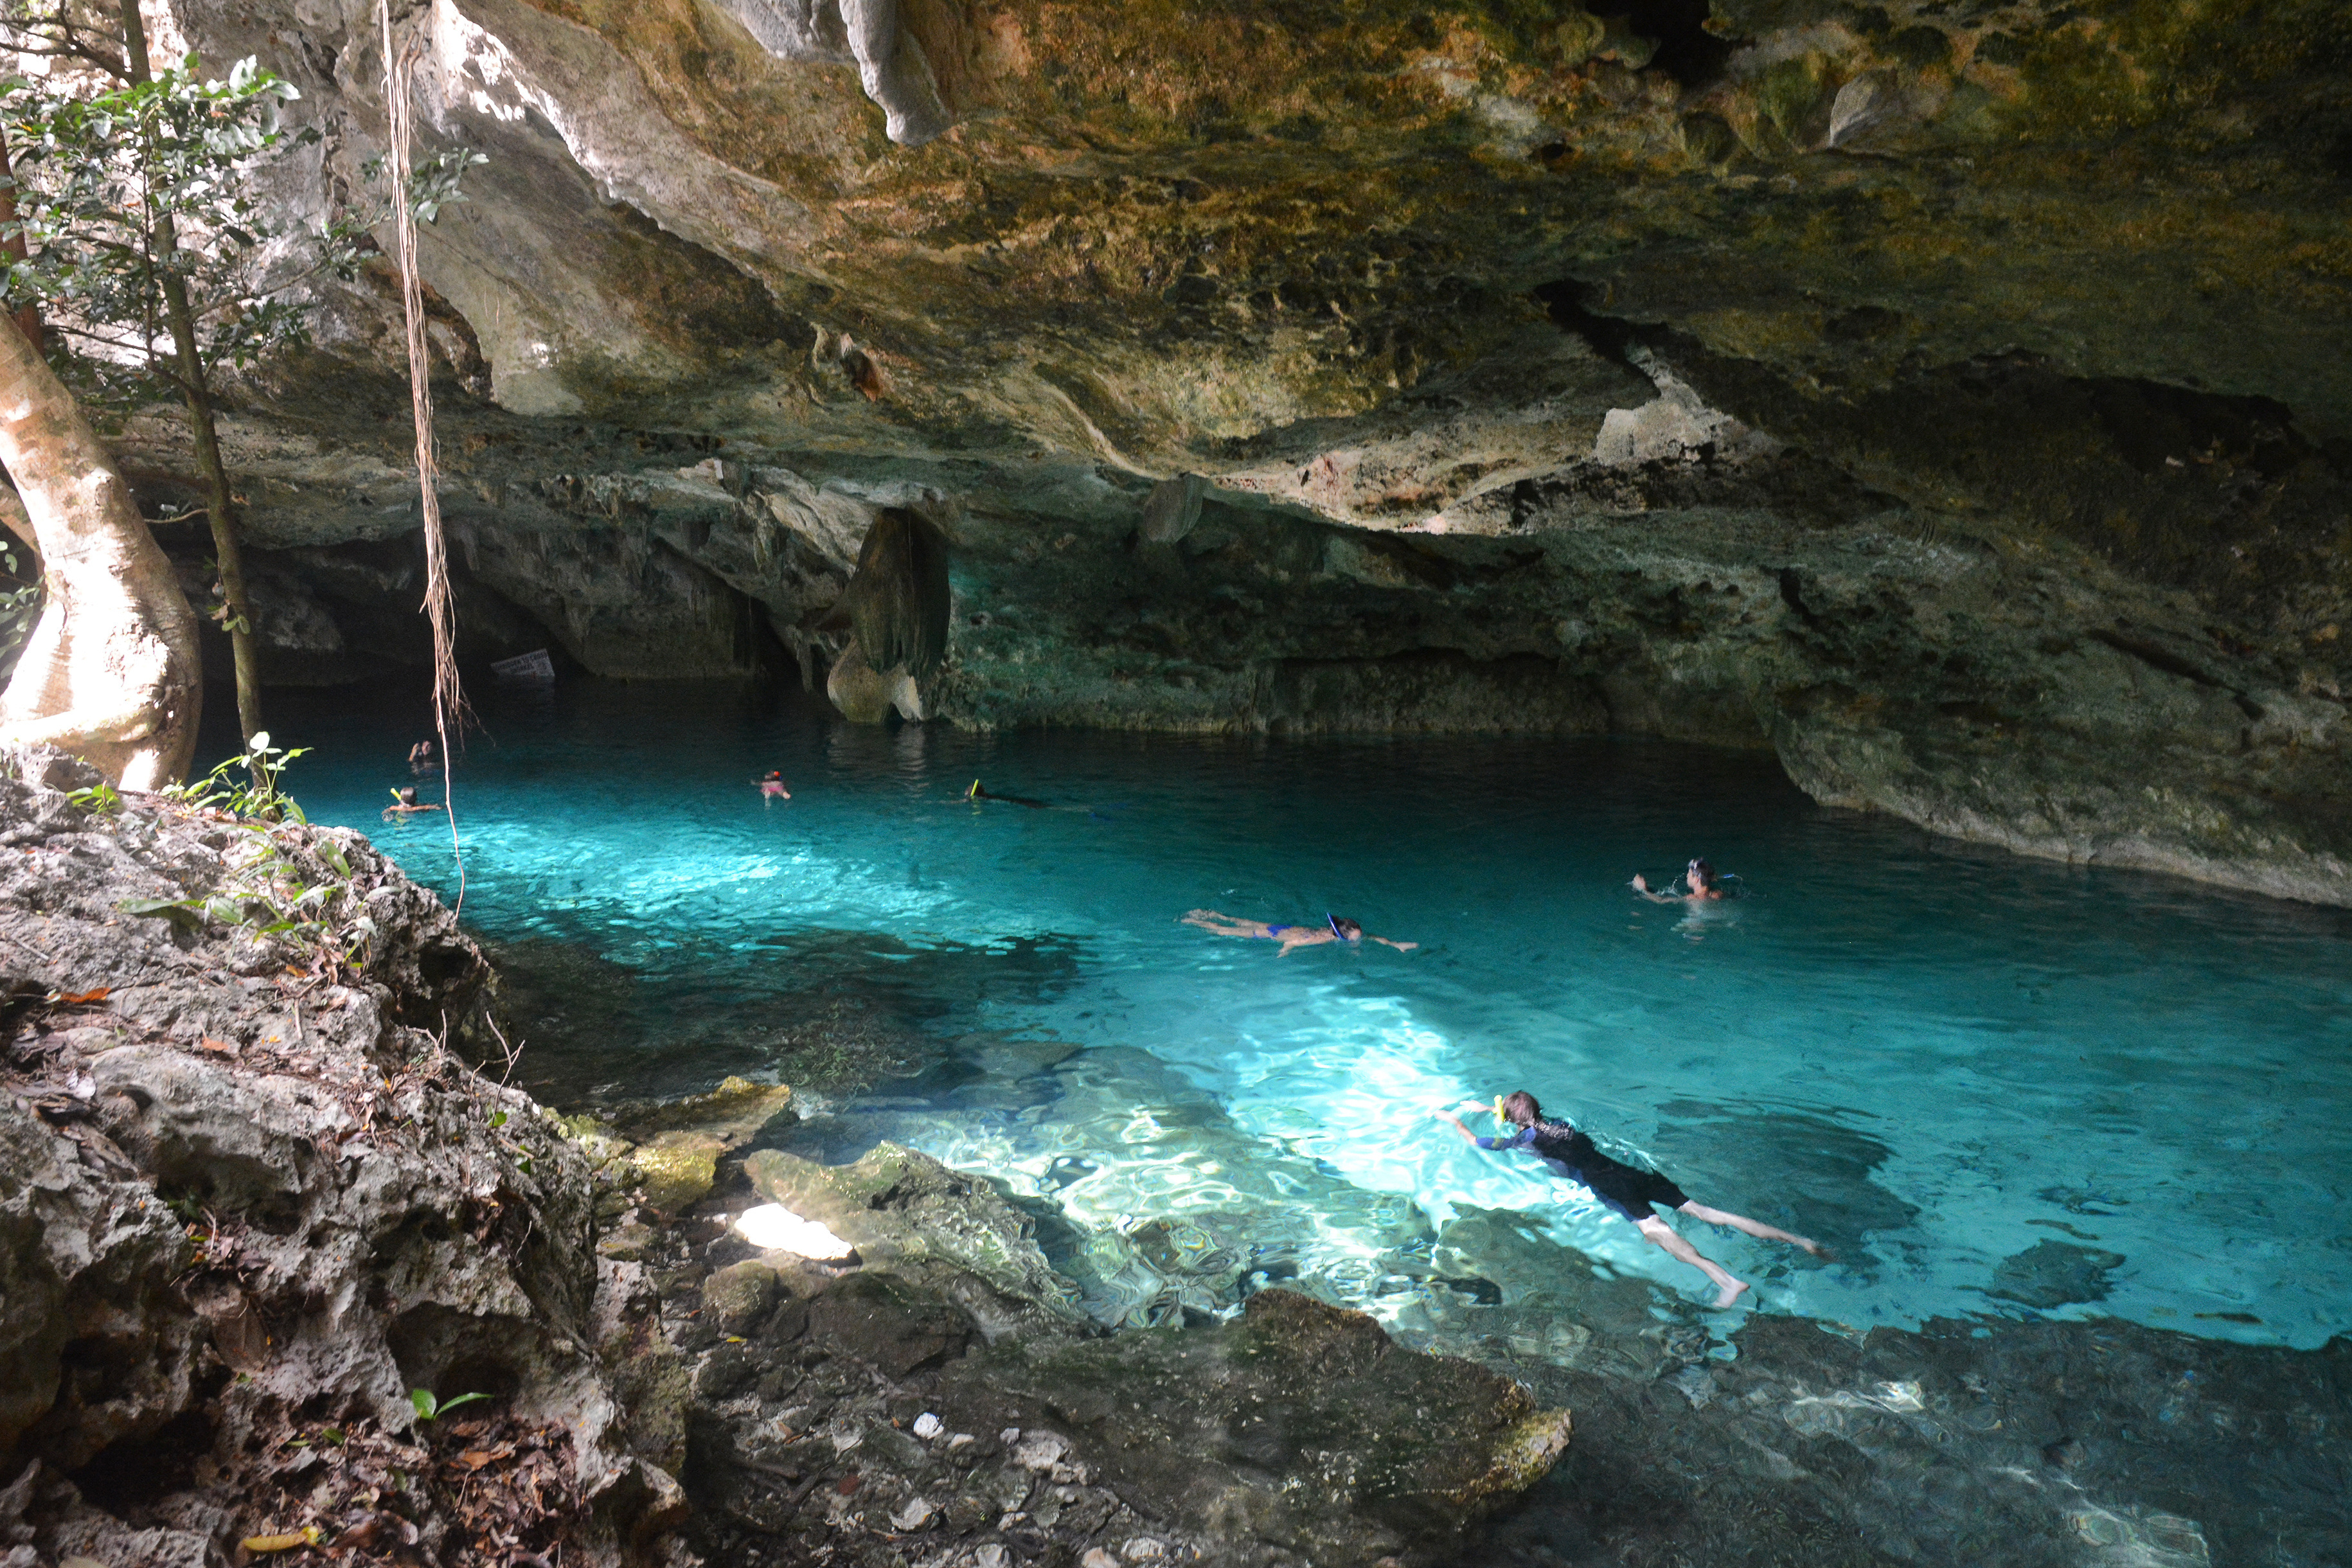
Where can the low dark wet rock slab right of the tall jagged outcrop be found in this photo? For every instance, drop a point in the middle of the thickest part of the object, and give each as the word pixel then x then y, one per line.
pixel 940 1398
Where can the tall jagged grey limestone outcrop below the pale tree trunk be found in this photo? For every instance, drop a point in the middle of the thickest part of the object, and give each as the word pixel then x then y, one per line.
pixel 236 1200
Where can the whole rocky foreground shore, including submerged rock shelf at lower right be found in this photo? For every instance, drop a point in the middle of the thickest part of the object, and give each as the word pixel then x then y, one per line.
pixel 293 1280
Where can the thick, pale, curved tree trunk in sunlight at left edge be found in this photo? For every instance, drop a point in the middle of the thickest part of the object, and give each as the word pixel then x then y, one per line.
pixel 112 669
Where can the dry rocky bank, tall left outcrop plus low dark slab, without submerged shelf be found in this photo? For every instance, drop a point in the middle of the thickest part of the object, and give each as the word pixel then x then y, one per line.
pixel 290 1278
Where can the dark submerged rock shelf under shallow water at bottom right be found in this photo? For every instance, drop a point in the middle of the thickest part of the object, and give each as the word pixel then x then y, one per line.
pixel 2014 1440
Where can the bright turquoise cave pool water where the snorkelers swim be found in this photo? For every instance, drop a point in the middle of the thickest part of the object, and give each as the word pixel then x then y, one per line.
pixel 1993 1087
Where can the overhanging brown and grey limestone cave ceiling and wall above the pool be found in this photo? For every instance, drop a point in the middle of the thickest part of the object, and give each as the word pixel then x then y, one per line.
pixel 1951 396
